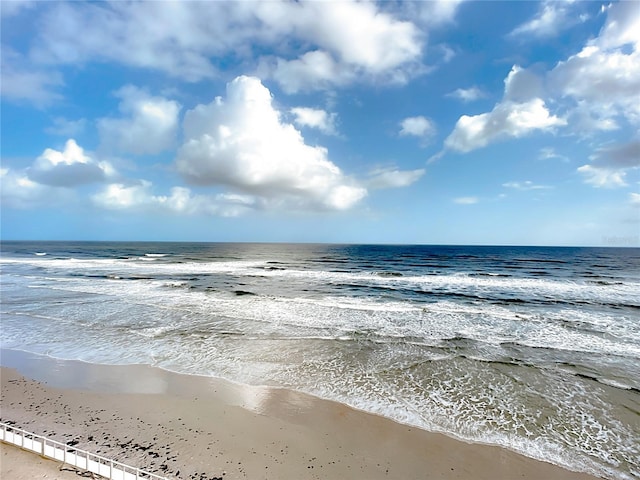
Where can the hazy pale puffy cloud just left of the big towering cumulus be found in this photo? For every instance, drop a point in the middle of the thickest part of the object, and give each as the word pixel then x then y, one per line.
pixel 149 125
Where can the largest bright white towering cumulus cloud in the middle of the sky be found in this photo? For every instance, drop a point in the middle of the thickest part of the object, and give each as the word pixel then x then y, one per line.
pixel 241 142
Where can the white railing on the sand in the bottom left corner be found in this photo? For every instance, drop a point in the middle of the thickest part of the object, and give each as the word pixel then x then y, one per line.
pixel 73 456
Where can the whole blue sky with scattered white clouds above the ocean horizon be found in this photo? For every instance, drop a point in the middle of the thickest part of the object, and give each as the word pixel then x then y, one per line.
pixel 432 122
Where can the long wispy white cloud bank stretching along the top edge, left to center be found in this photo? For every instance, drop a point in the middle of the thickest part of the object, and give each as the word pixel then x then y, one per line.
pixel 182 38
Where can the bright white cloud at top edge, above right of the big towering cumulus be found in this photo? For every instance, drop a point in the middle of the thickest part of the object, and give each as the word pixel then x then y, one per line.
pixel 350 40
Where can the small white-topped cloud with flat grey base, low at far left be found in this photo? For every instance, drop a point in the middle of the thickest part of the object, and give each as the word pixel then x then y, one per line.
pixel 68 168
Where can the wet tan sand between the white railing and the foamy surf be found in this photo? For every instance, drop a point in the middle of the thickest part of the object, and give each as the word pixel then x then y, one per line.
pixel 191 427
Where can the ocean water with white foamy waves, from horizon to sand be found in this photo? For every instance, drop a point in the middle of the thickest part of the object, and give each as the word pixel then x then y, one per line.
pixel 534 349
